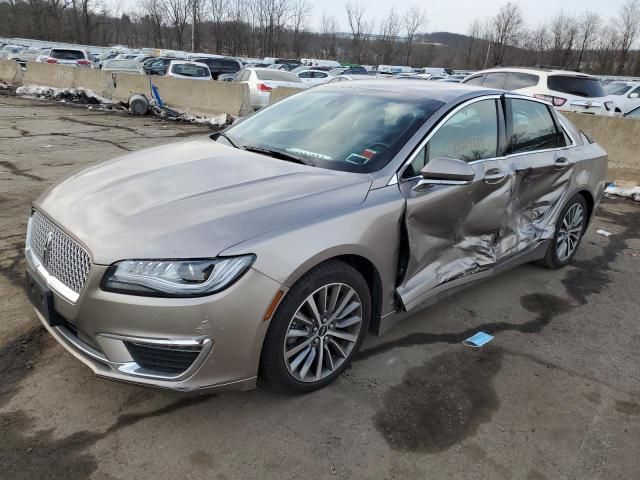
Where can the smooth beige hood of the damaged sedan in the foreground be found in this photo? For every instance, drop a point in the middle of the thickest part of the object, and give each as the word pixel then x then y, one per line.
pixel 191 200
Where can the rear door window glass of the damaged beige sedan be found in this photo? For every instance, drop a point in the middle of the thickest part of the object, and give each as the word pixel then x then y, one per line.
pixel 533 127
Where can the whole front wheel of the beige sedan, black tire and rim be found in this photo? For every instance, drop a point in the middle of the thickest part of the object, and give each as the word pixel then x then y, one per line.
pixel 317 329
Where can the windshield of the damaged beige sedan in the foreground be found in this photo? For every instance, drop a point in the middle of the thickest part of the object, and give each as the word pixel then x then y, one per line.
pixel 337 128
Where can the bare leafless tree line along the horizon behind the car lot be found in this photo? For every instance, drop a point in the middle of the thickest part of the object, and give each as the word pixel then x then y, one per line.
pixel 283 28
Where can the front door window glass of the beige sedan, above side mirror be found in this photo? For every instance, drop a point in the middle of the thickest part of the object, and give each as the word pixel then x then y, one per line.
pixel 470 134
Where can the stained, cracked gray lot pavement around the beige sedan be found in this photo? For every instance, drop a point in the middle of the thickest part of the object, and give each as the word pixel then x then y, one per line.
pixel 555 396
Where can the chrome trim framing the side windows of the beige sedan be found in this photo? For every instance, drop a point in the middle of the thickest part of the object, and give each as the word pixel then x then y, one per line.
pixel 398 175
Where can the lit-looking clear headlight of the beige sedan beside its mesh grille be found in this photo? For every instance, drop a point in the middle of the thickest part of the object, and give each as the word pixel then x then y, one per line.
pixel 175 278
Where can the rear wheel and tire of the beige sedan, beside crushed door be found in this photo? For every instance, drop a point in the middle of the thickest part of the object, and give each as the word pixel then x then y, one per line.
pixel 570 228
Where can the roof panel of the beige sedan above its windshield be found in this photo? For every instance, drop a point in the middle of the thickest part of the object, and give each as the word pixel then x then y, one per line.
pixel 440 91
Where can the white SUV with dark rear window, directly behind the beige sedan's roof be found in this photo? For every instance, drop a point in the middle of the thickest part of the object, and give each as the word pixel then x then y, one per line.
pixel 565 90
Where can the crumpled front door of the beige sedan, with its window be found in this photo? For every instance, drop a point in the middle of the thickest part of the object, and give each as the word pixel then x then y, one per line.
pixel 456 230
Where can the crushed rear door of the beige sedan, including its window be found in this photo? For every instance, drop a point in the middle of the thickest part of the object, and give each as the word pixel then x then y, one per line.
pixel 542 171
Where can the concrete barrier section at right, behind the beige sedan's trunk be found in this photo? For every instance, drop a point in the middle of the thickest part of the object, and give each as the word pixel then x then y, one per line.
pixel 620 137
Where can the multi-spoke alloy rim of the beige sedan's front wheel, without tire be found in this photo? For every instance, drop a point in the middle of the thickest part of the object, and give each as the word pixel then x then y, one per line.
pixel 323 332
